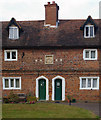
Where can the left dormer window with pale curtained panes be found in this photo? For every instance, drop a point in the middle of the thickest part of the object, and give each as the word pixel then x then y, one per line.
pixel 13 32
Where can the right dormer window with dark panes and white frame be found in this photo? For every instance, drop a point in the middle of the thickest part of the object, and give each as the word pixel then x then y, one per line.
pixel 89 31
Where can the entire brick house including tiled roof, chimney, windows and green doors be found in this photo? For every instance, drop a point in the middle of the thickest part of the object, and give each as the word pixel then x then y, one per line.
pixel 53 58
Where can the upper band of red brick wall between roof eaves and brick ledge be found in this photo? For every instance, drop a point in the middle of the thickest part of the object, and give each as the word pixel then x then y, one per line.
pixel 72 59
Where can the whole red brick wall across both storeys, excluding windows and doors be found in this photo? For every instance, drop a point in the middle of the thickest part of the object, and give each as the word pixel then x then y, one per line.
pixel 72 59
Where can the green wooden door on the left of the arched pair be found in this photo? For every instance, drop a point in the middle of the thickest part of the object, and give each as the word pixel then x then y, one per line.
pixel 42 89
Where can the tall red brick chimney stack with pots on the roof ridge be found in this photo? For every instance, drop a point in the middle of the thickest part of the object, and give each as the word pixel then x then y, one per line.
pixel 51 14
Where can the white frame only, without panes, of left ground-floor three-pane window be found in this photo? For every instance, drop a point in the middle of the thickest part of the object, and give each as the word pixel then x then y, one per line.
pixel 10 88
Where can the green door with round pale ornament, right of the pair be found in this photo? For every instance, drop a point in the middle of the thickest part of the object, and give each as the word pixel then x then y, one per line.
pixel 58 89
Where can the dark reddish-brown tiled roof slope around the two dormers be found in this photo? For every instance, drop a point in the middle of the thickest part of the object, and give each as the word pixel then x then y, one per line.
pixel 35 34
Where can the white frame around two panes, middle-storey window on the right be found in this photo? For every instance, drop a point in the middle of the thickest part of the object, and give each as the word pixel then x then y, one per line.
pixel 96 54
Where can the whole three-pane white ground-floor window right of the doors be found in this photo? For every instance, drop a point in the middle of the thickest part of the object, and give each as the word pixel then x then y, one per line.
pixel 89 83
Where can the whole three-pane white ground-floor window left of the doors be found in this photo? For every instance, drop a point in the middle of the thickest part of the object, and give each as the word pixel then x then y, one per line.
pixel 11 82
